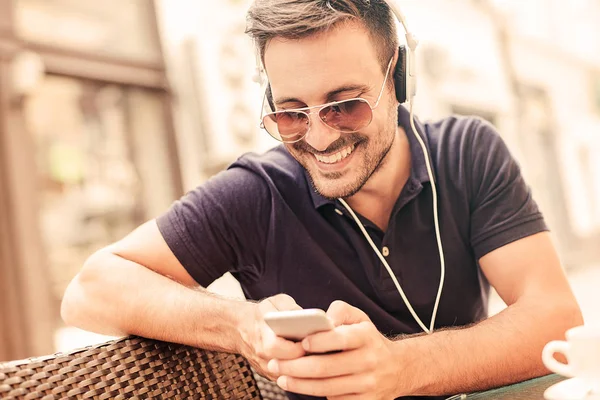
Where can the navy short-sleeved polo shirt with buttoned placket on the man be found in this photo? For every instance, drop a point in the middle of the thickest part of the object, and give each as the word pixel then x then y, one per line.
pixel 262 221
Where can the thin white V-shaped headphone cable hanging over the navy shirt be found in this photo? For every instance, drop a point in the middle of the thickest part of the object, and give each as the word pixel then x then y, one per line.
pixel 437 234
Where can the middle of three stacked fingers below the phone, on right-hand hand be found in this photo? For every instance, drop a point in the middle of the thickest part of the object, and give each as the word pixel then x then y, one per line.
pixel 321 366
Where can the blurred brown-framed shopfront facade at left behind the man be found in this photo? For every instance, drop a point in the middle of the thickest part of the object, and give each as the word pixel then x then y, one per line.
pixel 87 148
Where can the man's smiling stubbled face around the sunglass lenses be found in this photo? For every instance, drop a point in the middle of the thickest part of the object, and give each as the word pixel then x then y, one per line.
pixel 338 65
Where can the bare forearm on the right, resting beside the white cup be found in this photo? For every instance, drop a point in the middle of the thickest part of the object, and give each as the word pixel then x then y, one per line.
pixel 503 349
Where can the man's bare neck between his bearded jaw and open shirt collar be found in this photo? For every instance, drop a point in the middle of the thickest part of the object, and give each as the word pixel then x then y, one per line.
pixel 377 197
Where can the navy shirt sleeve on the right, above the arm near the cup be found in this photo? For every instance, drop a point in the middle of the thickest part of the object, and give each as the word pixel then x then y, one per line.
pixel 501 205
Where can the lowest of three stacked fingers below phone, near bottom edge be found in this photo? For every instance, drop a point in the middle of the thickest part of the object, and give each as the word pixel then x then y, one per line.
pixel 337 386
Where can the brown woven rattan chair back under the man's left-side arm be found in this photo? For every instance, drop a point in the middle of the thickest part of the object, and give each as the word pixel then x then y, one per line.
pixel 130 368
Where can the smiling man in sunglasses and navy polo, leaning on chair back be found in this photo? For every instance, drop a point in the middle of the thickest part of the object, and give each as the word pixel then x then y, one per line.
pixel 274 222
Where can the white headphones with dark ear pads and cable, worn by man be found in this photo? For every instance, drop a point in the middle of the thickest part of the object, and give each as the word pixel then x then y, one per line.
pixel 405 83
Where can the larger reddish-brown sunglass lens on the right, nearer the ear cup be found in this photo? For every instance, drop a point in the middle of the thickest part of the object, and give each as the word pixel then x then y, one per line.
pixel 347 116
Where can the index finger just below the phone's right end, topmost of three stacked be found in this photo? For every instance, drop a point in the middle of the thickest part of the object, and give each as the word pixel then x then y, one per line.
pixel 344 337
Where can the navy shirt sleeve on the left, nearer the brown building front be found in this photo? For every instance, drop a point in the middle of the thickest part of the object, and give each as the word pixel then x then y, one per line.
pixel 220 227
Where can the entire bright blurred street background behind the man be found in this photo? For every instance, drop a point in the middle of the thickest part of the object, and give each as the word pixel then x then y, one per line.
pixel 110 110
